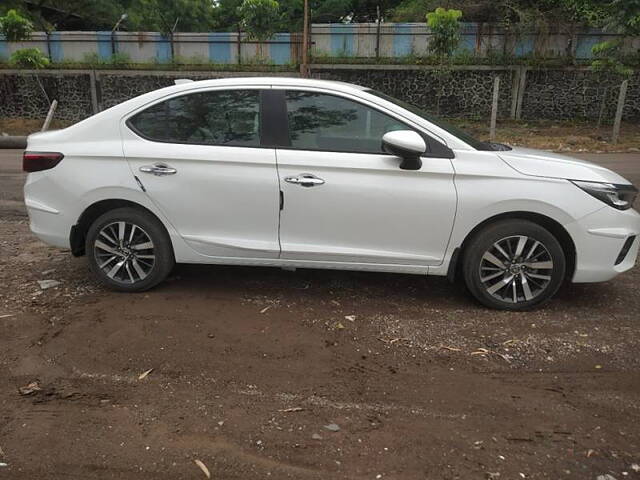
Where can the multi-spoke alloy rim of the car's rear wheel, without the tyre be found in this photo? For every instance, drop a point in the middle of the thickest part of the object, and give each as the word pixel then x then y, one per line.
pixel 124 252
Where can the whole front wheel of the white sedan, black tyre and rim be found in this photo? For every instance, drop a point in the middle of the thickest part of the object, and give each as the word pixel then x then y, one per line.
pixel 514 265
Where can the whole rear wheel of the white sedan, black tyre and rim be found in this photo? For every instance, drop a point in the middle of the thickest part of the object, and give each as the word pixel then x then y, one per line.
pixel 129 250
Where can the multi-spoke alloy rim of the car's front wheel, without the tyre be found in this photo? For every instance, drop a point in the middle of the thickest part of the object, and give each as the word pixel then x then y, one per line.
pixel 516 269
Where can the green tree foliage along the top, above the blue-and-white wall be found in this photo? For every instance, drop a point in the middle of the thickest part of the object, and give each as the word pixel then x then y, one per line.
pixel 622 16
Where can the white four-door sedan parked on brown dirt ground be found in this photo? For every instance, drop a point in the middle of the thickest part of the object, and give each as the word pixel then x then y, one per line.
pixel 316 174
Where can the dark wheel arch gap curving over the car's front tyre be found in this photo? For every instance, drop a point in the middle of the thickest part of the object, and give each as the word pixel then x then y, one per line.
pixel 553 226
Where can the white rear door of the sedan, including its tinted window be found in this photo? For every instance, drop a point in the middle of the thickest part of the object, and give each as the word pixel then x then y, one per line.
pixel 202 160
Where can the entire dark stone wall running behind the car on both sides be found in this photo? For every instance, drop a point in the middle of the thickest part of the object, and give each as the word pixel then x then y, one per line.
pixel 458 91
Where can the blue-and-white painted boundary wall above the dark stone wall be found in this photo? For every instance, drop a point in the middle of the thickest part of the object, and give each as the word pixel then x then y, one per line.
pixel 332 40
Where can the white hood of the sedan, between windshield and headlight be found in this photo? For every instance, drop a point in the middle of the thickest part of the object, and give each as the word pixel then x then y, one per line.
pixel 539 163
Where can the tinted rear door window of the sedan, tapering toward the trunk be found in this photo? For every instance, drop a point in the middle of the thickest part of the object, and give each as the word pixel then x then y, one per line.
pixel 230 117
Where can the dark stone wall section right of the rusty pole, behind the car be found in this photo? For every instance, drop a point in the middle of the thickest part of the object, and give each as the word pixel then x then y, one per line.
pixel 466 91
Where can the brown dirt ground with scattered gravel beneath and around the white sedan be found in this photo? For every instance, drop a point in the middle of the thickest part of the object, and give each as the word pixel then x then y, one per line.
pixel 260 373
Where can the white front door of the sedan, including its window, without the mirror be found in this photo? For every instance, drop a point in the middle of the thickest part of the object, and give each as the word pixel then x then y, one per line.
pixel 347 201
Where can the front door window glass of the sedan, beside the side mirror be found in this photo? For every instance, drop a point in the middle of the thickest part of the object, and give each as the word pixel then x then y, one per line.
pixel 319 121
